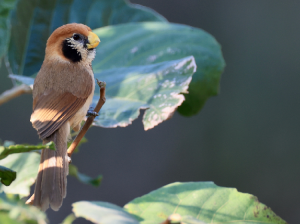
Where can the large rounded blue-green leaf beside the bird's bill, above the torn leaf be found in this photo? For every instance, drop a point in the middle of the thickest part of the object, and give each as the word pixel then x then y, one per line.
pixel 152 42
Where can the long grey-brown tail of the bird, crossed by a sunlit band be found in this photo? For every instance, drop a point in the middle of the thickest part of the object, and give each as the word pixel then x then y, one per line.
pixel 51 182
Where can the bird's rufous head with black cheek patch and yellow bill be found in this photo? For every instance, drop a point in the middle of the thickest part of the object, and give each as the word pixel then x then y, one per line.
pixel 72 42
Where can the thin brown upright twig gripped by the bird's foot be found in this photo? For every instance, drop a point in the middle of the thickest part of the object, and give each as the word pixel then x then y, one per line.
pixel 89 120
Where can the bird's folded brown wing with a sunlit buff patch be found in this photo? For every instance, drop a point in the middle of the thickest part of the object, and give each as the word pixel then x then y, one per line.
pixel 52 109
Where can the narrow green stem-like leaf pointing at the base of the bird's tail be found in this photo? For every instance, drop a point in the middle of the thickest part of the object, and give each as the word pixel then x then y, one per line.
pixel 5 151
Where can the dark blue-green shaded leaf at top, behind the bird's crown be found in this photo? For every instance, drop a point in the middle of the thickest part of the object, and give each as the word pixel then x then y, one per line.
pixel 31 30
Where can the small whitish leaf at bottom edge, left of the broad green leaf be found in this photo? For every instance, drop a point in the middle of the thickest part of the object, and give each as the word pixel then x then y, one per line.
pixel 102 212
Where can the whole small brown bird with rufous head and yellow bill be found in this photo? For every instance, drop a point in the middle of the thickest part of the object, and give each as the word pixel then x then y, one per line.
pixel 62 93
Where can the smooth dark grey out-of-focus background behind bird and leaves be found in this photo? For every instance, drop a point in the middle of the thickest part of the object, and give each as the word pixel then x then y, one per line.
pixel 247 137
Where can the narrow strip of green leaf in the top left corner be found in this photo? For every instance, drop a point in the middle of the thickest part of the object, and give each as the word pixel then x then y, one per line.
pixel 5 8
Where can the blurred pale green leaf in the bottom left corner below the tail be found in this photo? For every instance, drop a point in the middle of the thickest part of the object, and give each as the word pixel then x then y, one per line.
pixel 16 210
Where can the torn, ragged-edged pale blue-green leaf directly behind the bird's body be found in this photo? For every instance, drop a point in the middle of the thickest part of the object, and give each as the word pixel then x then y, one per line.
pixel 129 89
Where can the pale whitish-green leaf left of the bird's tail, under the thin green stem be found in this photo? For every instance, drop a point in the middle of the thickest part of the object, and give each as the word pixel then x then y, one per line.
pixel 26 165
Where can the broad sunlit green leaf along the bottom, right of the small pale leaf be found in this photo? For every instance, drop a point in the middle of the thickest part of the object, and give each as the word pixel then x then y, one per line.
pixel 204 201
